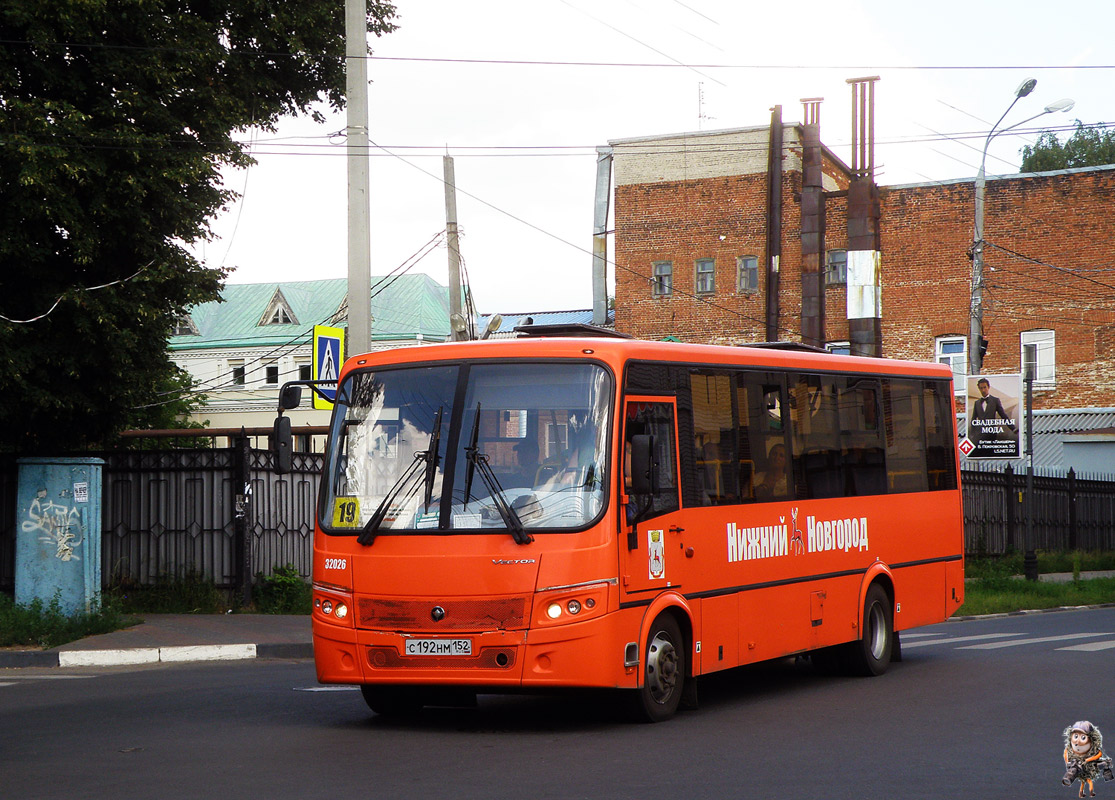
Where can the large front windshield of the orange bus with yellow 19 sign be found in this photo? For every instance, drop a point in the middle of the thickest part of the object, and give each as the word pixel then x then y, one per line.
pixel 469 448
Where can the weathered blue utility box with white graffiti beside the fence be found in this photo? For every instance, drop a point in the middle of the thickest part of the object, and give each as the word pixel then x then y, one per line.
pixel 59 532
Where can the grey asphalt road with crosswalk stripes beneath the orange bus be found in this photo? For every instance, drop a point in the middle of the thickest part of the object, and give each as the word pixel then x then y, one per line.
pixel 976 709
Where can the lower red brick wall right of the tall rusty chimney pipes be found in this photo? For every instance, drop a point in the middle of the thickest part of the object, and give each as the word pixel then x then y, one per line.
pixel 1050 238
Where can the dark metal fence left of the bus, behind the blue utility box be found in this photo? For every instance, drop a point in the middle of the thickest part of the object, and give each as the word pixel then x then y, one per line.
pixel 173 513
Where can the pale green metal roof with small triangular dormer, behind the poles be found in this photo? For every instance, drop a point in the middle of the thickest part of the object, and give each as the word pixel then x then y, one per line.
pixel 402 307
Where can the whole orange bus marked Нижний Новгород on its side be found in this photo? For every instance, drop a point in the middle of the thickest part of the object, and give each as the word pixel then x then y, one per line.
pixel 575 512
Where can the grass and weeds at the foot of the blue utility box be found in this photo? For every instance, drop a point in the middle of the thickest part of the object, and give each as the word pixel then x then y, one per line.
pixel 45 625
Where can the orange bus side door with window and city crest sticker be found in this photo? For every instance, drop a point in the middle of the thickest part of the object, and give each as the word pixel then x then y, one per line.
pixel 651 551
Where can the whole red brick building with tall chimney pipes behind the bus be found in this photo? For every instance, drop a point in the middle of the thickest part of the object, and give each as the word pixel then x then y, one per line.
pixel 693 215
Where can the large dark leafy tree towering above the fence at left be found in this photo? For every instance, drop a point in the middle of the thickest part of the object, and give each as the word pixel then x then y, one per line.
pixel 115 120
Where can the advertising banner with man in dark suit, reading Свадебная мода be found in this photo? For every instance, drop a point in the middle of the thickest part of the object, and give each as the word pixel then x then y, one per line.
pixel 995 404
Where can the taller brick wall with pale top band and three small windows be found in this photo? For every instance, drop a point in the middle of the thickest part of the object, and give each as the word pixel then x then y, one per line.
pixel 668 208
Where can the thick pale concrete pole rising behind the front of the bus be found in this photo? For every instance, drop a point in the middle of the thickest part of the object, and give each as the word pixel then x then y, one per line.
pixel 356 133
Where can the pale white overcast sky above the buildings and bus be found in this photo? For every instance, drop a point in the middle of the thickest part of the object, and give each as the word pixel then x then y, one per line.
pixel 521 93
